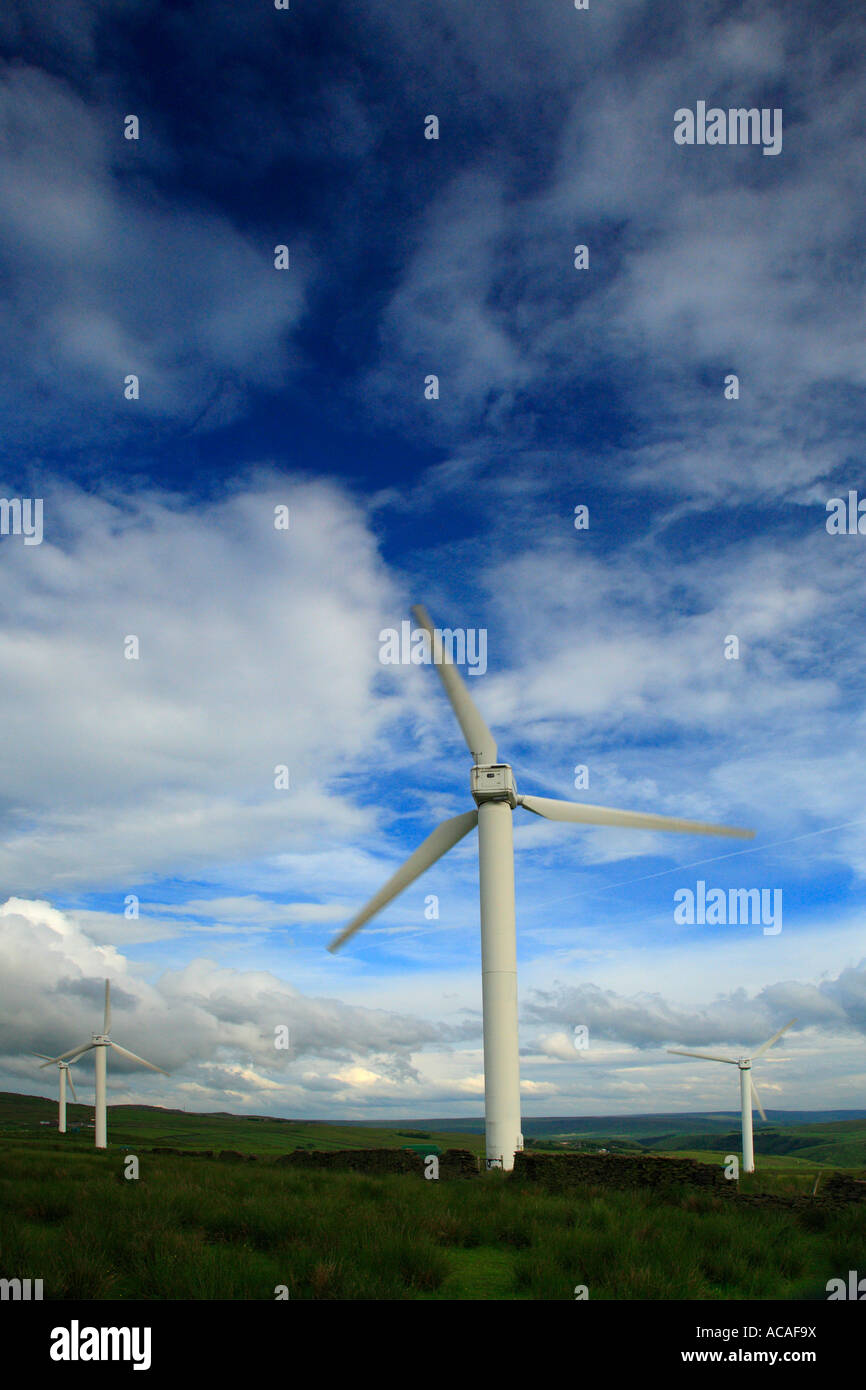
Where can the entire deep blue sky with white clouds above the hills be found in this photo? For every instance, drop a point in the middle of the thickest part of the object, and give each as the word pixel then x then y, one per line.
pixel 245 476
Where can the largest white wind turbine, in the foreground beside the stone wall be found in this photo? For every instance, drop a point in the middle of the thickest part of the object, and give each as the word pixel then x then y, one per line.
pixel 496 796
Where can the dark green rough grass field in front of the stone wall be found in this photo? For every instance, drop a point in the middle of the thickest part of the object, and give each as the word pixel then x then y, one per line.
pixel 208 1231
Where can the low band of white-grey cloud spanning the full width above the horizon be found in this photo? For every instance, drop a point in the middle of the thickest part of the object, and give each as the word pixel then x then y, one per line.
pixel 213 1029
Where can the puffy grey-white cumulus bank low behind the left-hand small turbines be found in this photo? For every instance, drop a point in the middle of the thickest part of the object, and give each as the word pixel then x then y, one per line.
pixel 208 1025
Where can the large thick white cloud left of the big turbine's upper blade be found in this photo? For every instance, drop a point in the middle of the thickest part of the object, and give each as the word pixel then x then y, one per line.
pixel 258 650
